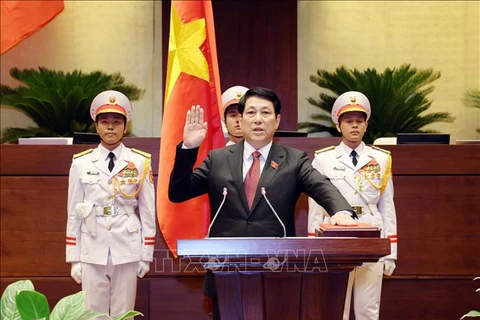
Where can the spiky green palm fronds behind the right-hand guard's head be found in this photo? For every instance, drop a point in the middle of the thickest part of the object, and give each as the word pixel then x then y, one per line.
pixel 398 97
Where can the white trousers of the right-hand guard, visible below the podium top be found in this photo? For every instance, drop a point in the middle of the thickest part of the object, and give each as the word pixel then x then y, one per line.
pixel 366 283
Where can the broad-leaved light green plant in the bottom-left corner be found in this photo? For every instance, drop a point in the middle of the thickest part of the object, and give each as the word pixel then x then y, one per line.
pixel 21 301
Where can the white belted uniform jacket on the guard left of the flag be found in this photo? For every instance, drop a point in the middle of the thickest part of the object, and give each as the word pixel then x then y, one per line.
pixel 92 233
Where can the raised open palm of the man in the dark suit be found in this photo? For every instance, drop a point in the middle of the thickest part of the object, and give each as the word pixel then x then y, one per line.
pixel 195 129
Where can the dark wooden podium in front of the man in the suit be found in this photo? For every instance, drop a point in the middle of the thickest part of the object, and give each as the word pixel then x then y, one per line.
pixel 281 278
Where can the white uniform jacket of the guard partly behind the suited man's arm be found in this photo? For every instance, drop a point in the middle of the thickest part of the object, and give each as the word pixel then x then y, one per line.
pixel 367 185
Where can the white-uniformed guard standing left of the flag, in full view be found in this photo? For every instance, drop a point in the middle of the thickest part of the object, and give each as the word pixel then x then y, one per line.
pixel 111 211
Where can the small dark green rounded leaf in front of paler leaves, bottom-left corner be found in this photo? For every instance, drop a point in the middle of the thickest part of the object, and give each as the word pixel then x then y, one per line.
pixel 32 305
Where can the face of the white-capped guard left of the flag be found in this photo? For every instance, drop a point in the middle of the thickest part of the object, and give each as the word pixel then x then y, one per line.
pixel 110 127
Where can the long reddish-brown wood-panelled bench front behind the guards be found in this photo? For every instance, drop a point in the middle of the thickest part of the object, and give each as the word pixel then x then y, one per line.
pixel 437 193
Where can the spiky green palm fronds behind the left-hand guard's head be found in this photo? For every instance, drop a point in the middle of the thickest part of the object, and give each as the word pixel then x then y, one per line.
pixel 58 102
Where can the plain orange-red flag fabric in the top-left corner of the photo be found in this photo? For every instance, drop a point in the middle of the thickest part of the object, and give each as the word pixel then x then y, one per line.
pixel 20 19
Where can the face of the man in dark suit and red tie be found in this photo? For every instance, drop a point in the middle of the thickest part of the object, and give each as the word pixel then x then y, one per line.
pixel 258 121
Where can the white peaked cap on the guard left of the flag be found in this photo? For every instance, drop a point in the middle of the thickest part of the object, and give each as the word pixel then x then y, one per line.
pixel 111 101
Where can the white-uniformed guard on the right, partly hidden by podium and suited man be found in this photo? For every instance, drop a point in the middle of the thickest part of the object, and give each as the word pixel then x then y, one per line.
pixel 364 177
